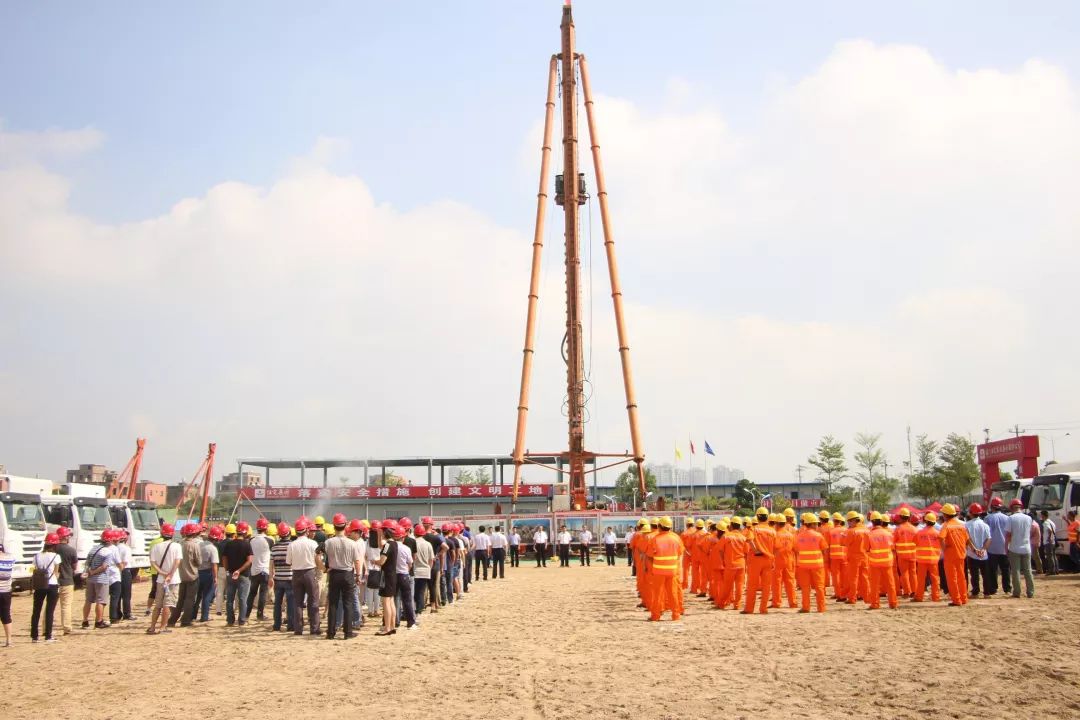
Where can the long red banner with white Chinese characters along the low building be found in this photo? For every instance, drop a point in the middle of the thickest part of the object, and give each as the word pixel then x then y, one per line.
pixel 404 493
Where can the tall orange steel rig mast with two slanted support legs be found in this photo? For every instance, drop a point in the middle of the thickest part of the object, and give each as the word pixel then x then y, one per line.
pixel 571 194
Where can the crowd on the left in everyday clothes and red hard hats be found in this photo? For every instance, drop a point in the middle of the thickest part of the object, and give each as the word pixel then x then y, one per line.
pixel 334 575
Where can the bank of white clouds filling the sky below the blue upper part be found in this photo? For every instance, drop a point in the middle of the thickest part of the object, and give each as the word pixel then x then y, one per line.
pixel 890 244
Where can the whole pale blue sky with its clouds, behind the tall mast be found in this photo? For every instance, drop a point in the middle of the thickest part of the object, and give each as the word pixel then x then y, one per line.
pixel 819 208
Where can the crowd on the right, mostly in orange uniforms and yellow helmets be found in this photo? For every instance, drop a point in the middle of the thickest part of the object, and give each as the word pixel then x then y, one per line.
pixel 758 563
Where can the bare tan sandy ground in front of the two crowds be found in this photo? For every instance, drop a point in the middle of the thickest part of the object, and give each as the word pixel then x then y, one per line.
pixel 570 644
